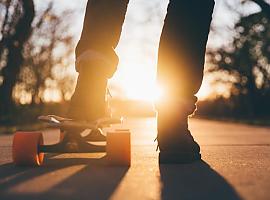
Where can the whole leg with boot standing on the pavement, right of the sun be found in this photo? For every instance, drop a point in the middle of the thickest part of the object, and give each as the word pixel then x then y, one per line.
pixel 180 72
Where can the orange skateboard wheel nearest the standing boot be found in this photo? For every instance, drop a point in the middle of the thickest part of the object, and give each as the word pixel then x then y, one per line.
pixel 118 147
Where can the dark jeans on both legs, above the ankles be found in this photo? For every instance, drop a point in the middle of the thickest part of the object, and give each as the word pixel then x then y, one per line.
pixel 182 43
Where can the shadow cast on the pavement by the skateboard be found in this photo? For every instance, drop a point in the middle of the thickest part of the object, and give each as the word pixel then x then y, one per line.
pixel 72 178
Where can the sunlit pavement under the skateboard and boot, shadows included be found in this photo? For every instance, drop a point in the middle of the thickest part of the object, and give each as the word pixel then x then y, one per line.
pixel 236 165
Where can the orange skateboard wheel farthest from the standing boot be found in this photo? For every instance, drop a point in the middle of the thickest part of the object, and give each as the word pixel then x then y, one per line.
pixel 25 149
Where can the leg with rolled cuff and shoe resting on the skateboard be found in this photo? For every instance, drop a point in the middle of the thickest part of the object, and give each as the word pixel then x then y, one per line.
pixel 96 60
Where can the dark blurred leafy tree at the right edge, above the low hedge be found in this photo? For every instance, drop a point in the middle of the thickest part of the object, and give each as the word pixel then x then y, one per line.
pixel 247 59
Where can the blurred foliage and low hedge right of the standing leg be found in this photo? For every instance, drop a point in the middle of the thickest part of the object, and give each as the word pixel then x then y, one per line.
pixel 245 60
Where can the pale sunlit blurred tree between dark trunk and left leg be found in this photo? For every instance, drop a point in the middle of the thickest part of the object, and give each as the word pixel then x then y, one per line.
pixel 47 57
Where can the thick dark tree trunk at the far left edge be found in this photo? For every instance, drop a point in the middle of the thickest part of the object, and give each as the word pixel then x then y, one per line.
pixel 16 30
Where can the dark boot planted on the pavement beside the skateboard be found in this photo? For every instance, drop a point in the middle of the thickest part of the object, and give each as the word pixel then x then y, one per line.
pixel 175 141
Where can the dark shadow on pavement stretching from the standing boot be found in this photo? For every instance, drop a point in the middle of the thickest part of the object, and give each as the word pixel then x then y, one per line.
pixel 194 181
